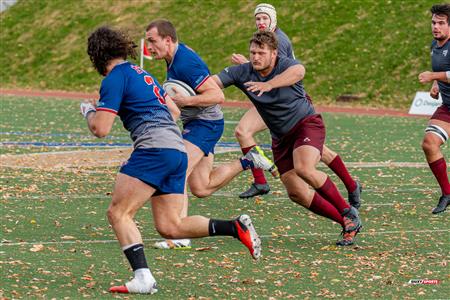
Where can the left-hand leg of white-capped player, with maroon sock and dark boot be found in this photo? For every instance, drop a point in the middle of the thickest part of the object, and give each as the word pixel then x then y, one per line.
pixel 250 124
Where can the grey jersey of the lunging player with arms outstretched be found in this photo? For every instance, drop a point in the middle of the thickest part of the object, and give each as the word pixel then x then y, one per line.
pixel 280 108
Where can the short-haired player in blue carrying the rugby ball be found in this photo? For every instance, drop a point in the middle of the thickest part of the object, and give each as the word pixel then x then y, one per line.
pixel 201 115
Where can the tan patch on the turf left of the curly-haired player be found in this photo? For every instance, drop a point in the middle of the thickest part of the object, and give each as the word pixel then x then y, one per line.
pixel 67 160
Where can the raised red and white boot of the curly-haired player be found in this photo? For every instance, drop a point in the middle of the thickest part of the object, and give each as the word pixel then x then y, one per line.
pixel 248 236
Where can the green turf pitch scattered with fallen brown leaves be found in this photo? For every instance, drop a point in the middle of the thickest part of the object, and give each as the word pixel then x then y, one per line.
pixel 56 242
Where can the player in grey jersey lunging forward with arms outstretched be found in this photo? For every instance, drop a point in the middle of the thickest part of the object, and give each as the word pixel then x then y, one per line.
pixel 274 85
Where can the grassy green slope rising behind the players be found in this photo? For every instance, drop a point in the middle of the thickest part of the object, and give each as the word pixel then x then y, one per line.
pixel 359 47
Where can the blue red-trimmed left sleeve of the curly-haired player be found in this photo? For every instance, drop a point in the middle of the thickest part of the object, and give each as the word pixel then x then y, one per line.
pixel 111 92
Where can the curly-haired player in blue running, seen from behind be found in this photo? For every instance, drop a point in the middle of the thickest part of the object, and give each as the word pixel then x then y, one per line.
pixel 157 165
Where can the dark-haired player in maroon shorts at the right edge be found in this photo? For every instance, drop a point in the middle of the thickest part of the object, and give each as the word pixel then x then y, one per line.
pixel 438 129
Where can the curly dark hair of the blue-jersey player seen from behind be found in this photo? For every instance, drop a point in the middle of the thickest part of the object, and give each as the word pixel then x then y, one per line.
pixel 105 44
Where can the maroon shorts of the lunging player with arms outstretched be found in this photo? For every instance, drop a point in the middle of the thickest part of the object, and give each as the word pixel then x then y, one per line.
pixel 308 131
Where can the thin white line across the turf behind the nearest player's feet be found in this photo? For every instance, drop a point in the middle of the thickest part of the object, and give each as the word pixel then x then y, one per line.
pixel 265 236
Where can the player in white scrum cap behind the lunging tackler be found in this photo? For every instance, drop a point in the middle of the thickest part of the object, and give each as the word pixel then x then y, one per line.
pixel 251 123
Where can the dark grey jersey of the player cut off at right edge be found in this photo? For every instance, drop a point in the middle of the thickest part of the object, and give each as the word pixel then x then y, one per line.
pixel 440 62
